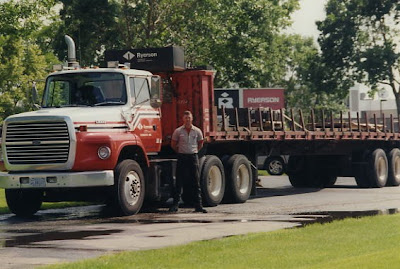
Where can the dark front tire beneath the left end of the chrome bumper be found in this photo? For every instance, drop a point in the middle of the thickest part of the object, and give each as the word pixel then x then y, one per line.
pixel 24 203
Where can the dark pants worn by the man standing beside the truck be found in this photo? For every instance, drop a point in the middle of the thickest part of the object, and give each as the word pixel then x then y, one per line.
pixel 187 169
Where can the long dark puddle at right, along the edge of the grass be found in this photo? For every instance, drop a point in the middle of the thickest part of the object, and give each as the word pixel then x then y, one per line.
pixel 326 217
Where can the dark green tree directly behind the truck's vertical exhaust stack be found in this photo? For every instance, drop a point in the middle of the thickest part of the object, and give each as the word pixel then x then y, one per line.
pixel 92 25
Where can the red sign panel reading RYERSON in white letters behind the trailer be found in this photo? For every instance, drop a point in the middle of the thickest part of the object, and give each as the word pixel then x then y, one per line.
pixel 273 98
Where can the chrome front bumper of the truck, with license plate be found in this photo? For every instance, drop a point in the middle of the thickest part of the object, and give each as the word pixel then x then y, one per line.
pixel 56 179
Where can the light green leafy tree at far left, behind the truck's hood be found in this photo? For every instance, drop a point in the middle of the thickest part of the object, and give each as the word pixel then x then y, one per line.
pixel 21 60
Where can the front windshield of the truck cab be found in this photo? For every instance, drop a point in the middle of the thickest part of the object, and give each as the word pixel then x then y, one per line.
pixel 85 89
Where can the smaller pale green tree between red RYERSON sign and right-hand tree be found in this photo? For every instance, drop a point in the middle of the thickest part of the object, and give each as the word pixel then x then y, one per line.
pixel 303 83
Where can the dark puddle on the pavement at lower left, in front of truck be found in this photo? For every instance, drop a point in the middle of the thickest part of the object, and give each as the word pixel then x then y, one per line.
pixel 40 237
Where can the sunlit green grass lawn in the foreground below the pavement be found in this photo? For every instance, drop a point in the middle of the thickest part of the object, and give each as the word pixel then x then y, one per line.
pixel 371 242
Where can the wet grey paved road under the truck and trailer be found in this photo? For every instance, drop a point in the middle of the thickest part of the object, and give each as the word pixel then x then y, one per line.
pixel 75 233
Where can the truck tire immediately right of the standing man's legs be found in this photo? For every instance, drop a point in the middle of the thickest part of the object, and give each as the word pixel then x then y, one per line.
pixel 212 180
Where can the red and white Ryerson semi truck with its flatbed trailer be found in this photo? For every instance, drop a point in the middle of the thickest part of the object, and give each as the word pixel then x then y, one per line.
pixel 104 133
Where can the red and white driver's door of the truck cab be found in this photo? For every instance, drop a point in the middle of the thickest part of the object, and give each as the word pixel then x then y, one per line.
pixel 146 120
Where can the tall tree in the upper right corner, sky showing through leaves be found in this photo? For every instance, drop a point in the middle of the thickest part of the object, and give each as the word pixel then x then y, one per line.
pixel 359 42
